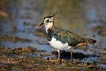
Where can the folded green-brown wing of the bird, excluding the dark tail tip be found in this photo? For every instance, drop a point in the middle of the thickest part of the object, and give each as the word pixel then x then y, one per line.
pixel 68 37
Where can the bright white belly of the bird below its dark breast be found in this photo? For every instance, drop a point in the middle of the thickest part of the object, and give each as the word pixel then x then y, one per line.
pixel 58 45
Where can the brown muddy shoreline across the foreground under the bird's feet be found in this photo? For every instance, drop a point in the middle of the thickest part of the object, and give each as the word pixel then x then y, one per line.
pixel 20 59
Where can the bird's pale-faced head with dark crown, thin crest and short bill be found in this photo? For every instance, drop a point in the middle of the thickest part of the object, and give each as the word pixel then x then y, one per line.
pixel 48 21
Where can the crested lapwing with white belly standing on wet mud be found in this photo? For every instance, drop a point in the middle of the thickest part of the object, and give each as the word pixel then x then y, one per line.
pixel 62 39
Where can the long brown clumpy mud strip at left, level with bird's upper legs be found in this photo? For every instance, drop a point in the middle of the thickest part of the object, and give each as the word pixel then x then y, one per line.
pixel 20 51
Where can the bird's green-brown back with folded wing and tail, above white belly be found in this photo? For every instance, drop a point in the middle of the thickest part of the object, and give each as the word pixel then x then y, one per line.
pixel 73 39
